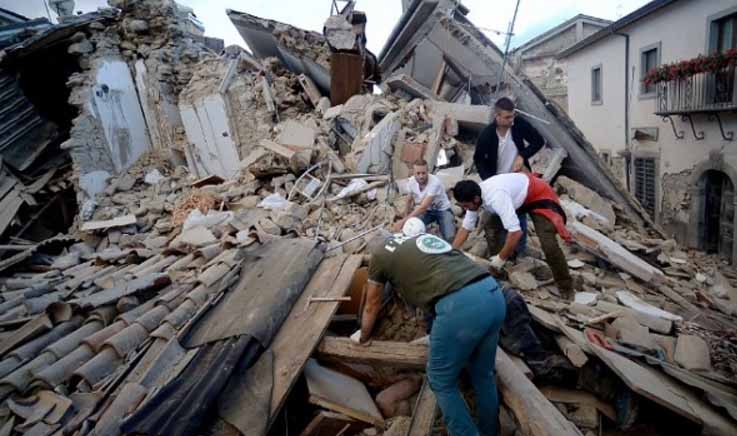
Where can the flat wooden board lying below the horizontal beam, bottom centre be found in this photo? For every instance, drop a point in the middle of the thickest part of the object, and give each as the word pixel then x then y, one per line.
pixel 340 393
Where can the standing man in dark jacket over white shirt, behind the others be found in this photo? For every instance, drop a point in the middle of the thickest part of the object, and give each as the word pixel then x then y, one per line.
pixel 505 146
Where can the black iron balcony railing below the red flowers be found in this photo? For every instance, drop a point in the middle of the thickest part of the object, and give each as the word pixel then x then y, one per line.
pixel 707 92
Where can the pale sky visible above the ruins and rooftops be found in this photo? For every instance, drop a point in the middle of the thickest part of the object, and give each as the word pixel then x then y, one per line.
pixel 534 16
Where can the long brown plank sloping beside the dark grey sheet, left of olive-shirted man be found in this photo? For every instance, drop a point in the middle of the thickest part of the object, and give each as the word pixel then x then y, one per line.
pixel 306 324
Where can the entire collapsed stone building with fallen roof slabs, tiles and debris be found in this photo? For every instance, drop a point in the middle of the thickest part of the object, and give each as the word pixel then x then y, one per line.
pixel 211 264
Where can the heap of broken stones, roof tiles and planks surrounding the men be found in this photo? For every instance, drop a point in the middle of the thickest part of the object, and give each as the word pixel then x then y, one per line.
pixel 217 297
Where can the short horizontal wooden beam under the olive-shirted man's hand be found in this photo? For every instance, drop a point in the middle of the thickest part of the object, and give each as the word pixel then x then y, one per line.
pixel 401 354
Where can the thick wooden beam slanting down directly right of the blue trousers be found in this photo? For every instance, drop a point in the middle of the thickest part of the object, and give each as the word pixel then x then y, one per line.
pixel 536 415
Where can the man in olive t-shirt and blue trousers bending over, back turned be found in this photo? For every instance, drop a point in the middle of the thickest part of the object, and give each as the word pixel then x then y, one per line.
pixel 469 311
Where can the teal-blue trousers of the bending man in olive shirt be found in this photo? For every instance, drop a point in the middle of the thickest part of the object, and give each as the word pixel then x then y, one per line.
pixel 465 334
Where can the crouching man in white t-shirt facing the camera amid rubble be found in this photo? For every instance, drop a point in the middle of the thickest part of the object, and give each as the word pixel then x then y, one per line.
pixel 429 202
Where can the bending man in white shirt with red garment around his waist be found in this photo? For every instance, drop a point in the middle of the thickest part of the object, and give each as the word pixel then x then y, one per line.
pixel 505 195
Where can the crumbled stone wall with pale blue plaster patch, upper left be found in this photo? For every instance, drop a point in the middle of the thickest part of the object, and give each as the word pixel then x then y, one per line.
pixel 146 57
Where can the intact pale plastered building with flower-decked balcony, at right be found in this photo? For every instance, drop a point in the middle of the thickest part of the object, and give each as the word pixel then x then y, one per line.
pixel 655 93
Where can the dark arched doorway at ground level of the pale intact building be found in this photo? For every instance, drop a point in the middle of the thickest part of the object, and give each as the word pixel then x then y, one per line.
pixel 716 220
